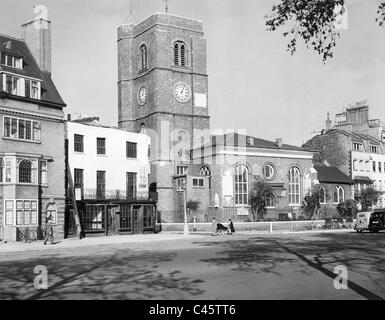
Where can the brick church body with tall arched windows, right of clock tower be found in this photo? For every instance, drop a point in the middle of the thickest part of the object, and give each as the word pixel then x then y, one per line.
pixel 223 172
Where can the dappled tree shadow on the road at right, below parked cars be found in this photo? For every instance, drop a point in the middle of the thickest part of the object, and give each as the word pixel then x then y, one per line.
pixel 361 253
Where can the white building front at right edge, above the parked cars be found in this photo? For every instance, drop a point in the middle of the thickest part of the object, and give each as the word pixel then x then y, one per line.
pixel 371 166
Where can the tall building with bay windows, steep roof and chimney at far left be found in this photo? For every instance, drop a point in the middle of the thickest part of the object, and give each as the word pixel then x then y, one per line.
pixel 32 161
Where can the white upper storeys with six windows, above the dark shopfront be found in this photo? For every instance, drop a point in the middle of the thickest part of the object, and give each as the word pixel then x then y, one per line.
pixel 107 162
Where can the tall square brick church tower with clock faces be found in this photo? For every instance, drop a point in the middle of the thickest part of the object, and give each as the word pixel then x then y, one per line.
pixel 163 91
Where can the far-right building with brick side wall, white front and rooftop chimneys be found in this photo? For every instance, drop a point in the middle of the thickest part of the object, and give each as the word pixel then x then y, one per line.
pixel 355 146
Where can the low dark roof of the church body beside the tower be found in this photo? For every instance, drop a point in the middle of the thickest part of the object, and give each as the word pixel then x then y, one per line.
pixel 239 140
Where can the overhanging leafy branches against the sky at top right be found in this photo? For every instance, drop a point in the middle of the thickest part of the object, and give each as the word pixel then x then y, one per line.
pixel 314 21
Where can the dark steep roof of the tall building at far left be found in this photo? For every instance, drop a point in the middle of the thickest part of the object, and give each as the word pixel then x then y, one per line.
pixel 49 93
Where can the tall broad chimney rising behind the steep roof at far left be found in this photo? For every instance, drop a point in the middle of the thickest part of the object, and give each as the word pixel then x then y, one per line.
pixel 37 35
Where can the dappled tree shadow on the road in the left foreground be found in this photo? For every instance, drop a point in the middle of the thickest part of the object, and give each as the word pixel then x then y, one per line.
pixel 118 275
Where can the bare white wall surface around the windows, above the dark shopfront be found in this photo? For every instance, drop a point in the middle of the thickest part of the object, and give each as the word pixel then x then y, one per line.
pixel 114 162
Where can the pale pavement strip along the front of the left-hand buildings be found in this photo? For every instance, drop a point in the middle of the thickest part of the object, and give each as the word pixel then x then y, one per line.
pixel 93 241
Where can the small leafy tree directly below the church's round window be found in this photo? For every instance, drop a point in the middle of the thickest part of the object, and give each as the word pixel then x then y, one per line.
pixel 259 194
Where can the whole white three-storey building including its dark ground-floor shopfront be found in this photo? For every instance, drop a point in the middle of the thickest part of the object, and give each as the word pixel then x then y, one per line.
pixel 109 170
